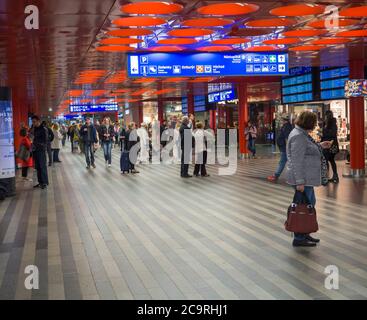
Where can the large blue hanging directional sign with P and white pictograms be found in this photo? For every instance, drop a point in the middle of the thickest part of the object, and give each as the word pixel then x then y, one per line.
pixel 207 64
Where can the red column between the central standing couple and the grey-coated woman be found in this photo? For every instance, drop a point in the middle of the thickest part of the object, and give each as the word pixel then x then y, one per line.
pixel 242 117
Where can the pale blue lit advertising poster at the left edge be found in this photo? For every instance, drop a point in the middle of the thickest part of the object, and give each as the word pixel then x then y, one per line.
pixel 7 161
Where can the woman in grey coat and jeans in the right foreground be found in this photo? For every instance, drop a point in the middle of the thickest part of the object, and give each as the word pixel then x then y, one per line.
pixel 306 167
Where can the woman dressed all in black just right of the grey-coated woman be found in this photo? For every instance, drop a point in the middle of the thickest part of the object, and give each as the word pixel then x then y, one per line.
pixel 330 133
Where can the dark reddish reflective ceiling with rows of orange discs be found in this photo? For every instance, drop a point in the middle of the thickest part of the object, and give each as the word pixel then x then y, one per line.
pixel 83 44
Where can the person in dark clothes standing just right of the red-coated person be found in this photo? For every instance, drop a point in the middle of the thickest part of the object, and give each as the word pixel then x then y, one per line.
pixel 39 149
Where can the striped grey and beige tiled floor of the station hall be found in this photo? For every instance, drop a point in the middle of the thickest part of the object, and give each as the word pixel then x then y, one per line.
pixel 102 235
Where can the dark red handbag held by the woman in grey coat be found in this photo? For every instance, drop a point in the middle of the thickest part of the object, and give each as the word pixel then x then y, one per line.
pixel 301 215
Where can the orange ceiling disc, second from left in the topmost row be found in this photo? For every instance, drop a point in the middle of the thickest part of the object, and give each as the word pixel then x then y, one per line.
pixel 228 9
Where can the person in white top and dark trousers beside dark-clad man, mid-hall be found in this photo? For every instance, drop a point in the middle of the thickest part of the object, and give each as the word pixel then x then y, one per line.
pixel 200 150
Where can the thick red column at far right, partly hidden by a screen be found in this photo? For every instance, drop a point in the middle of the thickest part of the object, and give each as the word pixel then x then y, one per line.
pixel 357 139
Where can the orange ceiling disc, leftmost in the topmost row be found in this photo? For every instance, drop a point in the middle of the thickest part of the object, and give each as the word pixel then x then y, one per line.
pixel 150 7
